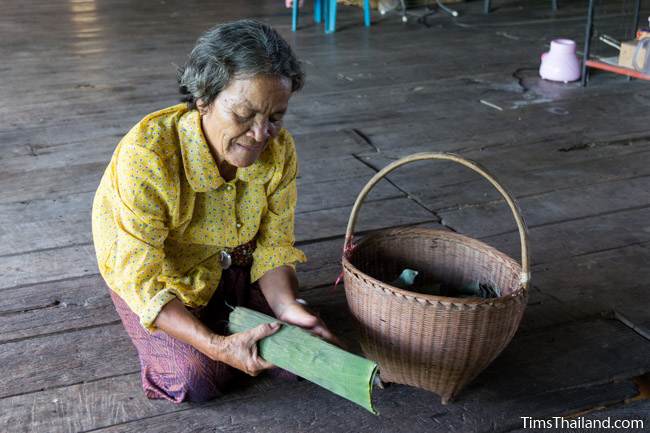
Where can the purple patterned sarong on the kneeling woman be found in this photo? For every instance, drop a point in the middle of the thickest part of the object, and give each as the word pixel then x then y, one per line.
pixel 178 372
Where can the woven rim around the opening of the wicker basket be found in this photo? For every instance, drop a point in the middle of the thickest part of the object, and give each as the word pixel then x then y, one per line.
pixel 521 291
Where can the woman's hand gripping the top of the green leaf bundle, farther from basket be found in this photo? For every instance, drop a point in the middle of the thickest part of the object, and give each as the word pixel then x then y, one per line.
pixel 240 350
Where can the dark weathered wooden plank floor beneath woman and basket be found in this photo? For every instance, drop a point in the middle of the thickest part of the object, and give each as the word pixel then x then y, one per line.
pixel 77 74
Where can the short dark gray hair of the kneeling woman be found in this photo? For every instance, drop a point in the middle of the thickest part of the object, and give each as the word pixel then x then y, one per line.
pixel 237 49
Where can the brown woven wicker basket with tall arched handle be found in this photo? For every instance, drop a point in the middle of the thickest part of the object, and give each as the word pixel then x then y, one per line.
pixel 433 342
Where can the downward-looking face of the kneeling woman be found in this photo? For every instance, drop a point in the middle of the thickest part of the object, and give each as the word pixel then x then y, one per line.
pixel 242 118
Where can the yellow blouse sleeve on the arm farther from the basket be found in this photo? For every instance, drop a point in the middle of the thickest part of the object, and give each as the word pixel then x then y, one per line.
pixel 145 191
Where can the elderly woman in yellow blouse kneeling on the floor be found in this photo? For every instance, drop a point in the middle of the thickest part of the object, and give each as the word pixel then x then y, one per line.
pixel 196 211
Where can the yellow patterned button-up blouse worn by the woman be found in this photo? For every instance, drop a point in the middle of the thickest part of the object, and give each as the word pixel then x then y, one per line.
pixel 162 213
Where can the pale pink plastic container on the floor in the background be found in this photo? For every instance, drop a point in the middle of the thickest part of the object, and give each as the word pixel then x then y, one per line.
pixel 560 63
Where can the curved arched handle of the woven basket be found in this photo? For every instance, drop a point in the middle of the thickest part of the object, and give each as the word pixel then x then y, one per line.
pixel 521 225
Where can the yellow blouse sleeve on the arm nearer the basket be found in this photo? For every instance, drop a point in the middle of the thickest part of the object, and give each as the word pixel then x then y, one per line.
pixel 275 238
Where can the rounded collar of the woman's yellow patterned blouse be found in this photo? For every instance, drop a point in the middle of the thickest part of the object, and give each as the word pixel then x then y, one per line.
pixel 201 169
